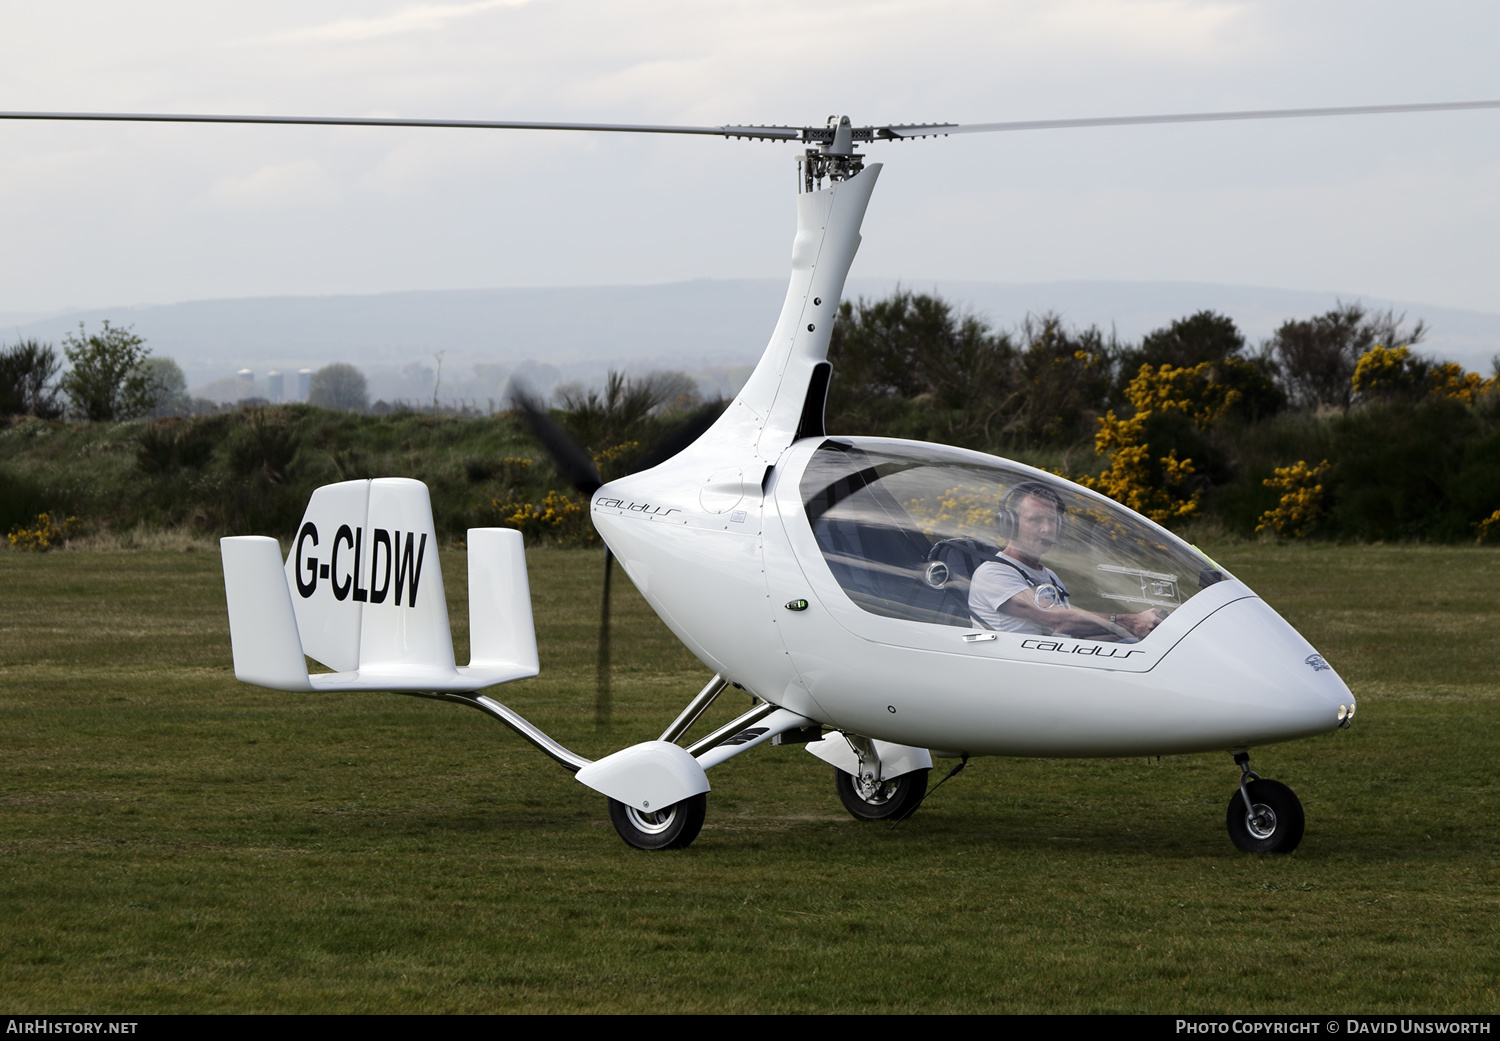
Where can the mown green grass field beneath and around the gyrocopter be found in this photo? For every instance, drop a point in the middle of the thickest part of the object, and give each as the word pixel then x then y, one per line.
pixel 172 841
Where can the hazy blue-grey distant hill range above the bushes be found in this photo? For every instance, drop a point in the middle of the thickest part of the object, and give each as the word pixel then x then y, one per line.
pixel 703 326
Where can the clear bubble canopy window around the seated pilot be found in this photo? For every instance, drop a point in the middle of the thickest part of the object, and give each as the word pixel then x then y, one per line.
pixel 952 538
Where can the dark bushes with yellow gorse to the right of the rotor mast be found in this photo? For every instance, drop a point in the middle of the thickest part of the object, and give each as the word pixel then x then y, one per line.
pixel 1334 425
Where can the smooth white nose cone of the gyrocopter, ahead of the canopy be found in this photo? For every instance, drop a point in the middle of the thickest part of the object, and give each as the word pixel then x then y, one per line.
pixel 1255 679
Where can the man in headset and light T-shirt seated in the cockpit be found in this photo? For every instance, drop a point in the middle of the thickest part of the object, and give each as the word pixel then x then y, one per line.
pixel 1016 593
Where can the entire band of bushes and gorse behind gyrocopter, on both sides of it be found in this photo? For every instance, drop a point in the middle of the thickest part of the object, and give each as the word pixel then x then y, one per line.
pixel 1334 427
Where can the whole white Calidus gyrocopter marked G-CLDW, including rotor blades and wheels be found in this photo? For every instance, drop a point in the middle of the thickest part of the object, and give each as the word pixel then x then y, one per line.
pixel 886 602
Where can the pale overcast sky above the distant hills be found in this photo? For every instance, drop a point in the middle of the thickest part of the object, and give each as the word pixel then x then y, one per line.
pixel 98 215
